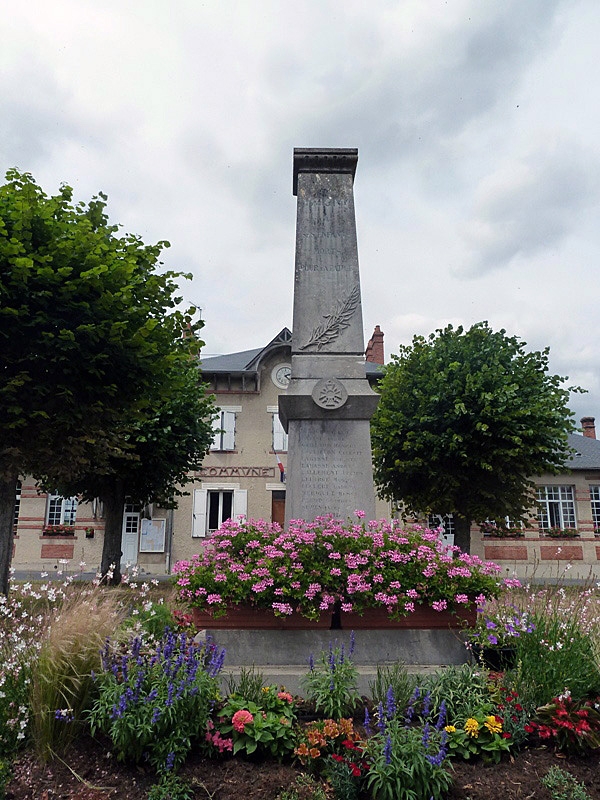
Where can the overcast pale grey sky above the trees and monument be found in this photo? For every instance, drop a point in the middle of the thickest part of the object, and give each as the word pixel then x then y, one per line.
pixel 477 123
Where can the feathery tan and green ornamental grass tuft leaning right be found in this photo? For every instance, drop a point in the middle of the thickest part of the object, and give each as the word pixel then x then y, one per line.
pixel 62 685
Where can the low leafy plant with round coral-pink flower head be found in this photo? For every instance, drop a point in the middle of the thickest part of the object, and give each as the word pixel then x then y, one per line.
pixel 259 729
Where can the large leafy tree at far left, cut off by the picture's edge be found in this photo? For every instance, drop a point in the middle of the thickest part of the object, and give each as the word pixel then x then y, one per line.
pixel 89 335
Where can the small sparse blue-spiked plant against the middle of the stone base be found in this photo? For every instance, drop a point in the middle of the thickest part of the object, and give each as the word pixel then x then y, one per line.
pixel 331 683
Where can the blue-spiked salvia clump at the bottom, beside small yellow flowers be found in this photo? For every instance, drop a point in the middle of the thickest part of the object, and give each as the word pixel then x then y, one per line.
pixel 407 760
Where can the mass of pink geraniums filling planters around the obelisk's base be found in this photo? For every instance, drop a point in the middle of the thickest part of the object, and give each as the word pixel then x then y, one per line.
pixel 317 567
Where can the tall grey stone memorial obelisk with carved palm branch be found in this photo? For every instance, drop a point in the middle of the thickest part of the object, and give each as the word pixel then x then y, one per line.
pixel 328 403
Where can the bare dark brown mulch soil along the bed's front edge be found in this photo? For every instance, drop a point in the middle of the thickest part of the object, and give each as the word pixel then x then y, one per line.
pixel 89 773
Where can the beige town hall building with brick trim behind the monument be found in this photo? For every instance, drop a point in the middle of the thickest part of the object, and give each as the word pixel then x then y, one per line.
pixel 244 473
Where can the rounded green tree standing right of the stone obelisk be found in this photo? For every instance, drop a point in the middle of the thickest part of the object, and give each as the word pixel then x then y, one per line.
pixel 464 420
